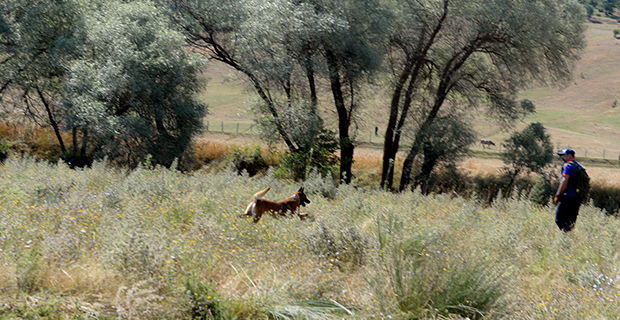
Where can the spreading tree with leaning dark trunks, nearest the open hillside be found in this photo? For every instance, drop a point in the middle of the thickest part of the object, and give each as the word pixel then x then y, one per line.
pixel 465 54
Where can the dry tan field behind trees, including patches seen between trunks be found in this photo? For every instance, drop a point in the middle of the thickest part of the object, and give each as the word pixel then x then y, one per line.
pixel 579 115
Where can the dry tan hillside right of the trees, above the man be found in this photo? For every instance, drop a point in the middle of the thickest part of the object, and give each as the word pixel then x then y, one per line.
pixel 581 115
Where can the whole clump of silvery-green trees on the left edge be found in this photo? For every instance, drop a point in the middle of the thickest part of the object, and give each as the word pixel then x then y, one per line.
pixel 112 74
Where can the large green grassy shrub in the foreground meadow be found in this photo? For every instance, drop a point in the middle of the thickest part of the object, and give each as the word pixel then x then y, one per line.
pixel 424 275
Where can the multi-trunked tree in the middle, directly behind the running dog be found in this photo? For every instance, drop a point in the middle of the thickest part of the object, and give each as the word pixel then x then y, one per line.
pixel 288 50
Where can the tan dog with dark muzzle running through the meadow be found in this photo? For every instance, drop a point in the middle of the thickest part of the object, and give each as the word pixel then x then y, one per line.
pixel 259 206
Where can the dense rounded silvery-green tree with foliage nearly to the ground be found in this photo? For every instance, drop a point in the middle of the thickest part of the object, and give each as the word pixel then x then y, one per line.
pixel 132 91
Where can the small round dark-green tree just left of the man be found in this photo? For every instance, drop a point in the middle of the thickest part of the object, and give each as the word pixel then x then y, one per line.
pixel 528 150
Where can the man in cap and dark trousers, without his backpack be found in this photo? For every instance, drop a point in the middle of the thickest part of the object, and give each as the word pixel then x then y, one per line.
pixel 566 197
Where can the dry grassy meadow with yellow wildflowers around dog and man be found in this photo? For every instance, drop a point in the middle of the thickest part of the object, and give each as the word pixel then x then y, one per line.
pixel 155 243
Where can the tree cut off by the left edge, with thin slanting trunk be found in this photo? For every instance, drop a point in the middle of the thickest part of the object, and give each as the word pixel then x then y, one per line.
pixel 37 39
